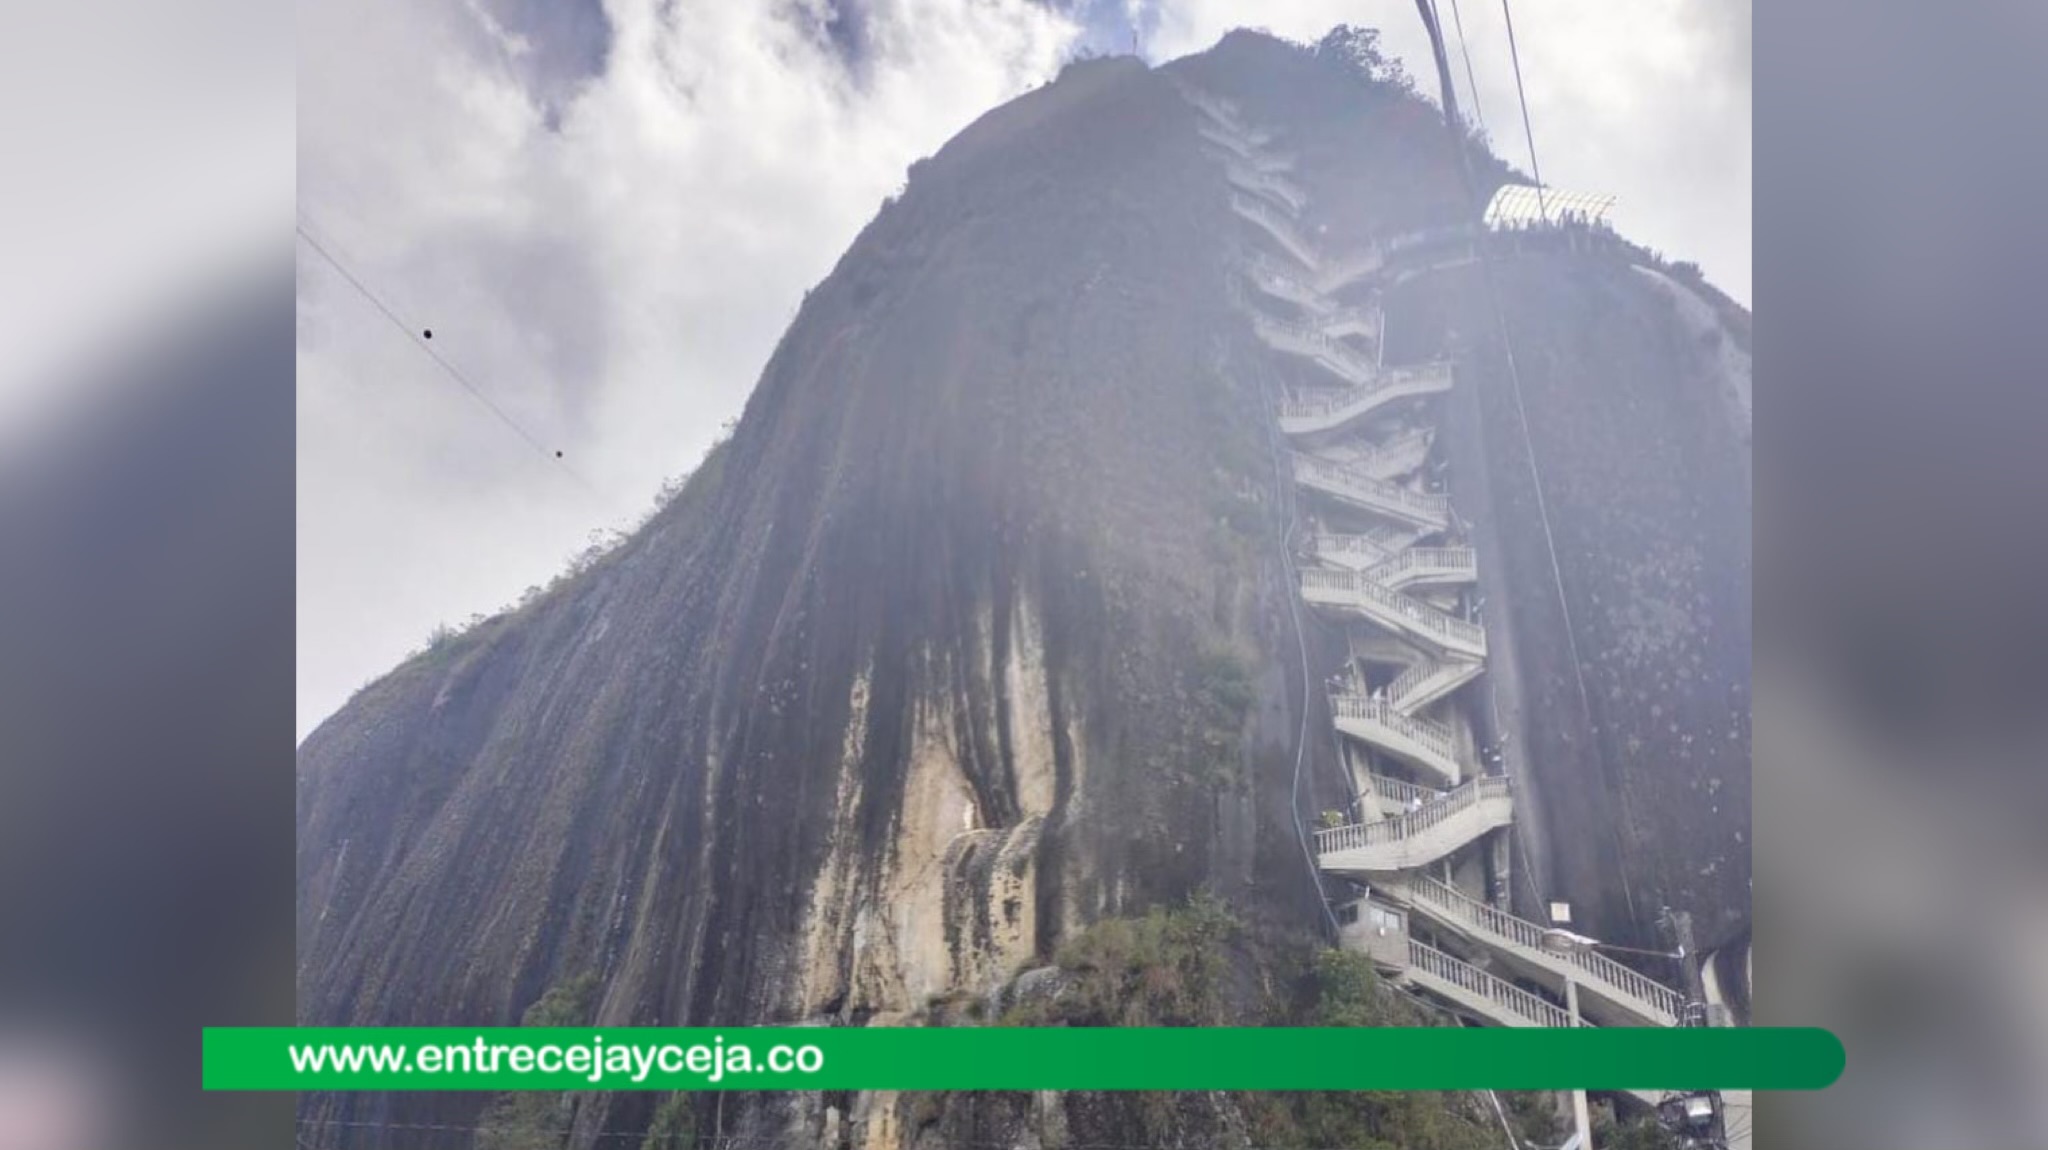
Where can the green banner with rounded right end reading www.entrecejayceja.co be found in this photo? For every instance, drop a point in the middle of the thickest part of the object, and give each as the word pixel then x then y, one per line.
pixel 1021 1059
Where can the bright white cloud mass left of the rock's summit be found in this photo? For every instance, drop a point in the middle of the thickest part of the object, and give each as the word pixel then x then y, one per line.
pixel 615 285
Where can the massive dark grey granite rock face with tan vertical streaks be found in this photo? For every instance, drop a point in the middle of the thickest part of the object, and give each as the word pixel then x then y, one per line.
pixel 978 629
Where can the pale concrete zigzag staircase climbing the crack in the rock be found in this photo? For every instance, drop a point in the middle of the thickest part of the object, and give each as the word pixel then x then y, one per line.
pixel 1371 574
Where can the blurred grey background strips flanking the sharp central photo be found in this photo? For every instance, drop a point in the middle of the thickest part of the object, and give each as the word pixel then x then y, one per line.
pixel 146 566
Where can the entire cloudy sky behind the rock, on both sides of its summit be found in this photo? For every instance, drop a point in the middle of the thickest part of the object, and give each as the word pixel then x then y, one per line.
pixel 607 214
